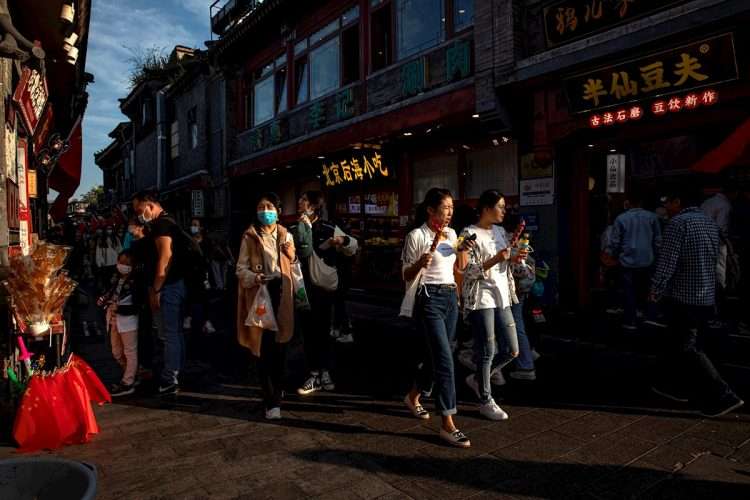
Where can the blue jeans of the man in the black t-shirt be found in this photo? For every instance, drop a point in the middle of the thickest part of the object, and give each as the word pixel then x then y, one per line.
pixel 168 320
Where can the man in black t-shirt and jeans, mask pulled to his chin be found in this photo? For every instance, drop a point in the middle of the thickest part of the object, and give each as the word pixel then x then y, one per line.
pixel 164 272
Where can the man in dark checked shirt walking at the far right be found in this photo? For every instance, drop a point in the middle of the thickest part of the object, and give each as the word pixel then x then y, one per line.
pixel 685 281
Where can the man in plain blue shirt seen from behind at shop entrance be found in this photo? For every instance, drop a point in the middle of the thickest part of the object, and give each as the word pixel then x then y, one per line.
pixel 636 236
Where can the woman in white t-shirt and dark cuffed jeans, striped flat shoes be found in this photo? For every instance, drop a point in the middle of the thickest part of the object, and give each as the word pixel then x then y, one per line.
pixel 431 255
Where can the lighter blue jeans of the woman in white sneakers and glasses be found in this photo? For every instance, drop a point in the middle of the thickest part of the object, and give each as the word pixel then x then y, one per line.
pixel 487 356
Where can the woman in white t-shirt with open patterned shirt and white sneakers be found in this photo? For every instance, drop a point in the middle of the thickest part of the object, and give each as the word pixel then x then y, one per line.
pixel 488 294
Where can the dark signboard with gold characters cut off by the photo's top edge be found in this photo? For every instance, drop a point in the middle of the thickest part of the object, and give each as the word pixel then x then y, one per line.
pixel 568 20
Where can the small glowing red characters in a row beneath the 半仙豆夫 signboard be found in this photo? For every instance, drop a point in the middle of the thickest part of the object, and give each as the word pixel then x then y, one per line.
pixel 659 107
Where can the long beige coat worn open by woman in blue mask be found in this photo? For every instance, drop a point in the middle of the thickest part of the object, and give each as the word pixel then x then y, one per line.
pixel 249 263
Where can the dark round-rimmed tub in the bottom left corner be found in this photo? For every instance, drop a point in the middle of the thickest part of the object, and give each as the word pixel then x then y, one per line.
pixel 46 478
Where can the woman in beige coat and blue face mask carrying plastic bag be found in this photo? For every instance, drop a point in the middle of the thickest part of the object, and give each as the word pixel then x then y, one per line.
pixel 266 256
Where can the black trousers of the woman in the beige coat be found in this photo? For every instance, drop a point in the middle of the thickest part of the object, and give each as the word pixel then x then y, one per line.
pixel 272 360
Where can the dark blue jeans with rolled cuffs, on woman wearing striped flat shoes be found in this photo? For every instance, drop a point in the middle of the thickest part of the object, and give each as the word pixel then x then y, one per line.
pixel 436 312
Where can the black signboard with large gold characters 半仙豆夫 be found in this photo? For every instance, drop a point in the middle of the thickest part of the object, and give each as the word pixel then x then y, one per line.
pixel 690 67
